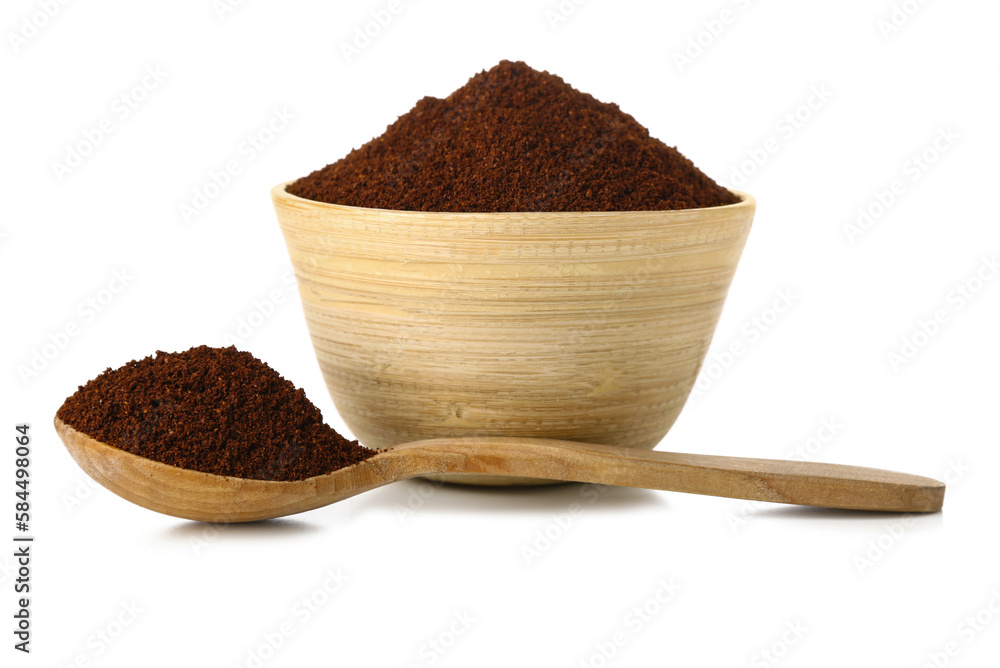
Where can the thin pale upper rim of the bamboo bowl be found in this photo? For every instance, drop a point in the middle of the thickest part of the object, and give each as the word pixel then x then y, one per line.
pixel 280 194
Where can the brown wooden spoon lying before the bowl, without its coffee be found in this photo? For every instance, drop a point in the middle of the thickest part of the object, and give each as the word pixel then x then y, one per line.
pixel 214 498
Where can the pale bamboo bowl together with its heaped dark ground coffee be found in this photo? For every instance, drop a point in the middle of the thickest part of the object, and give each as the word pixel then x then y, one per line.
pixel 516 259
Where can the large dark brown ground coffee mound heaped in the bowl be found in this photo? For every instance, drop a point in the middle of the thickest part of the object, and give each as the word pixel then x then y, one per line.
pixel 514 139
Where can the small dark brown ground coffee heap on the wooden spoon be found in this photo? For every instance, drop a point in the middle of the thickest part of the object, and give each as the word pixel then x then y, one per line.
pixel 217 410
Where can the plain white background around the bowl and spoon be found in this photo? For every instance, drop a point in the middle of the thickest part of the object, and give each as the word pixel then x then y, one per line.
pixel 813 588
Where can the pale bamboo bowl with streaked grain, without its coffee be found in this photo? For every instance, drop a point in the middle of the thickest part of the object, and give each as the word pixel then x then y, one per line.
pixel 584 326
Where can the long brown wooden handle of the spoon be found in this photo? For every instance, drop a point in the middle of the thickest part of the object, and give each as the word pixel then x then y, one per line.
pixel 779 481
